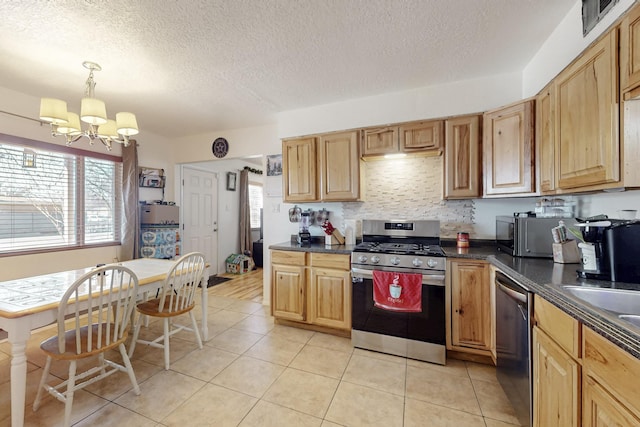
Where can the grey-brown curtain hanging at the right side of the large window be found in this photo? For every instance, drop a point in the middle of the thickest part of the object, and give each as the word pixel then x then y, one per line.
pixel 130 228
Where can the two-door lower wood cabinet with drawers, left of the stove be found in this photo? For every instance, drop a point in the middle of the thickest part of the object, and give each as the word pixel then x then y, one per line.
pixel 312 289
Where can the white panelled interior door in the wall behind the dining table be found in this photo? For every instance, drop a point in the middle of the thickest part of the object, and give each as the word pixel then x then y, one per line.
pixel 200 214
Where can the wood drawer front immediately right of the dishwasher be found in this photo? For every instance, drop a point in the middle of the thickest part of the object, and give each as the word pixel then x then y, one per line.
pixel 562 328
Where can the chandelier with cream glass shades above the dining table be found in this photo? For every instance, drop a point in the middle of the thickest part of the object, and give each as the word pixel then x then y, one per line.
pixel 92 112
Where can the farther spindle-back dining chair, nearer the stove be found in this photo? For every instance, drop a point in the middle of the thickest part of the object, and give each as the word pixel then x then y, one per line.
pixel 175 299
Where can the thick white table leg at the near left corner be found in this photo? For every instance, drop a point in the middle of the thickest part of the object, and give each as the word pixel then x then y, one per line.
pixel 18 340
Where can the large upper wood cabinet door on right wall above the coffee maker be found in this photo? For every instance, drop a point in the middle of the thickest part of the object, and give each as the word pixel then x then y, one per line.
pixel 587 144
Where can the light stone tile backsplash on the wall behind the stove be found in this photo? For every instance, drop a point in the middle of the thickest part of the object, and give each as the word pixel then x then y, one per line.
pixel 410 188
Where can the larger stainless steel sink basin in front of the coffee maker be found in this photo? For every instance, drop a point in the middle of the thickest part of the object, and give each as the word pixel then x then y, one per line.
pixel 616 300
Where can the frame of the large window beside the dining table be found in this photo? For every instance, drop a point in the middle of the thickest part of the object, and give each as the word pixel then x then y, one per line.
pixel 79 184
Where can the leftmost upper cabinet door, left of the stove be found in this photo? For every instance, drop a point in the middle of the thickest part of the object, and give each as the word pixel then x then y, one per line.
pixel 299 170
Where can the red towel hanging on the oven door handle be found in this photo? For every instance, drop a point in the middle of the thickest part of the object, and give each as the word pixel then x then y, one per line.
pixel 410 299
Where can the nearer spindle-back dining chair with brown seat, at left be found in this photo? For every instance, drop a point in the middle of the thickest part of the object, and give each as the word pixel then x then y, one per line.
pixel 98 306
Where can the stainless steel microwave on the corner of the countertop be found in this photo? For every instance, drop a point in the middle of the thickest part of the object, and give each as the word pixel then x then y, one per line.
pixel 527 236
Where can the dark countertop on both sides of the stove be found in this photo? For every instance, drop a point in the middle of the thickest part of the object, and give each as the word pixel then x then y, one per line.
pixel 540 276
